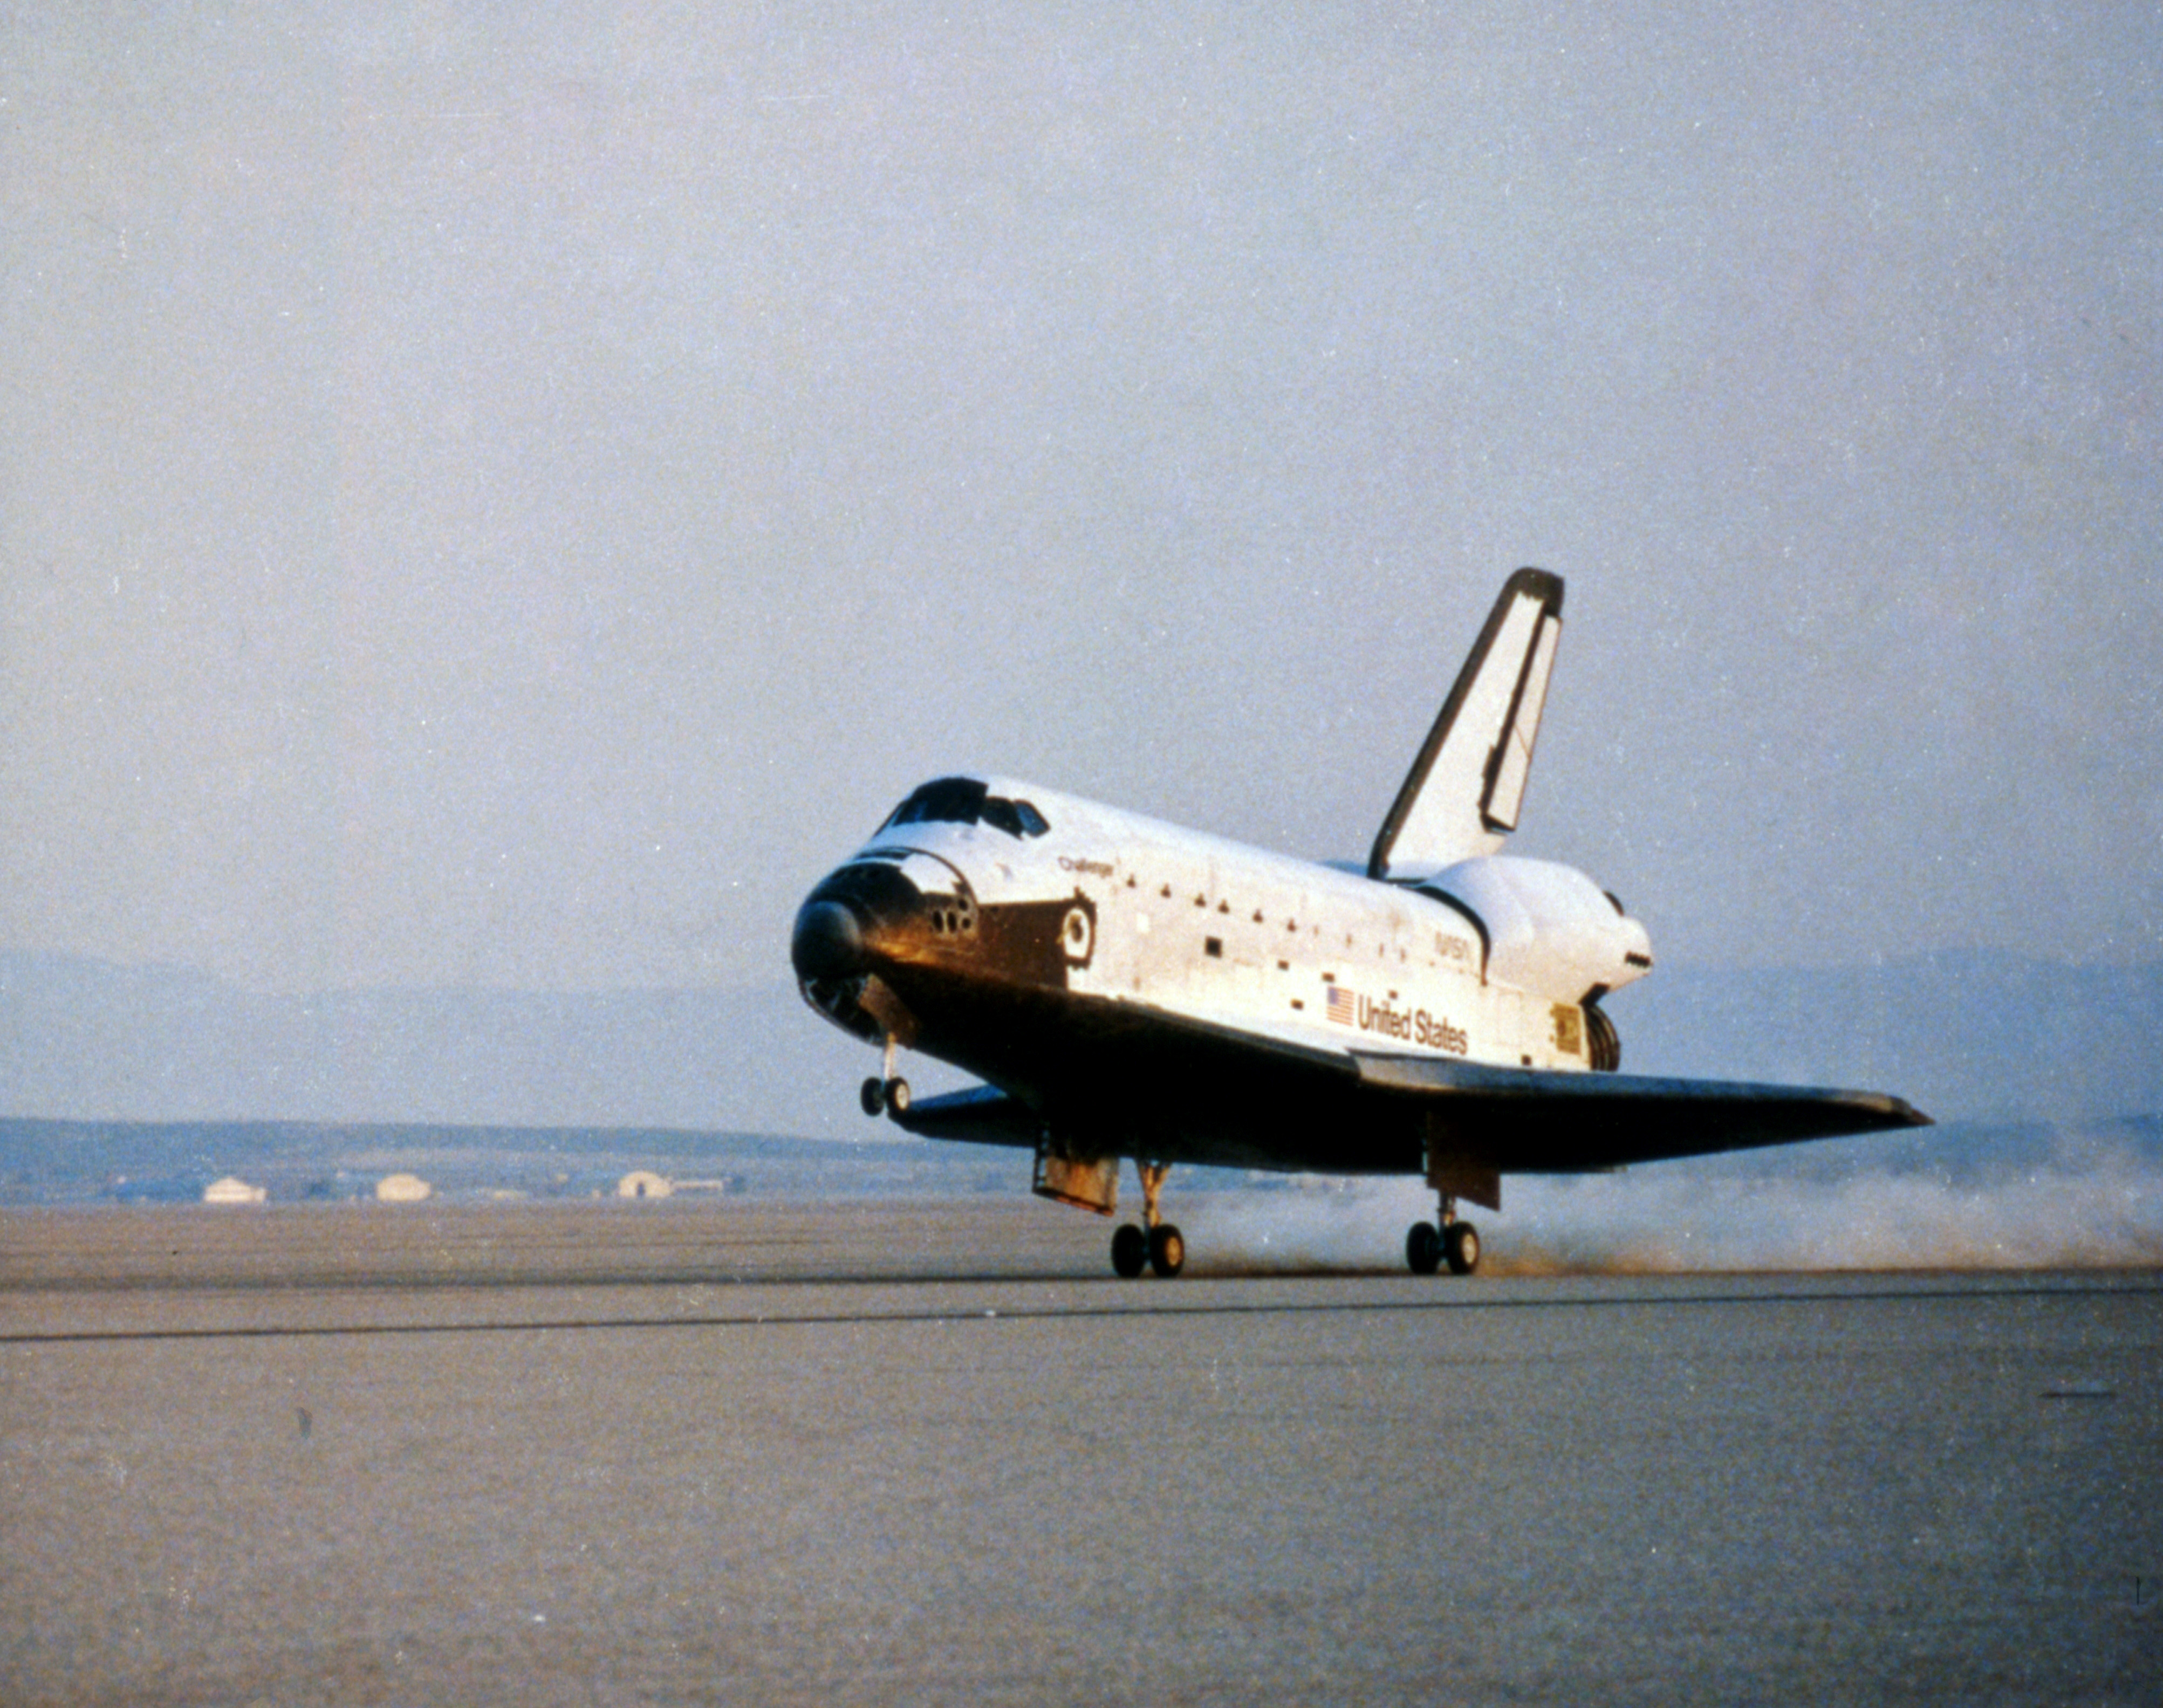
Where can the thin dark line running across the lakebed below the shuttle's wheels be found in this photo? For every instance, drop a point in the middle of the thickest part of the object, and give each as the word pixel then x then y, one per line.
pixel 1052 1313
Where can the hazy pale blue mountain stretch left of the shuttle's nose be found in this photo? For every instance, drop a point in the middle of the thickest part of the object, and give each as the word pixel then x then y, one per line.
pixel 90 1041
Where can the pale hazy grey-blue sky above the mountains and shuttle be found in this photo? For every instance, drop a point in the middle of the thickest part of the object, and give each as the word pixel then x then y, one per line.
pixel 509 496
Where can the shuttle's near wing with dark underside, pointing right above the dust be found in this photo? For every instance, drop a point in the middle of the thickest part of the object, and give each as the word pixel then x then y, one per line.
pixel 1567 1123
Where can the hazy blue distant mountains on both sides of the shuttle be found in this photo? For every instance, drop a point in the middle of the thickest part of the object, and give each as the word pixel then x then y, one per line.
pixel 1967 1037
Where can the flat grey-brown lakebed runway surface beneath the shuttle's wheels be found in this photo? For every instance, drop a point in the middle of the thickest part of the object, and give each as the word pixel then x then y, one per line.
pixel 938 1452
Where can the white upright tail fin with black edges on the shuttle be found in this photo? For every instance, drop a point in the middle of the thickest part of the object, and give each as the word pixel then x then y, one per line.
pixel 1463 792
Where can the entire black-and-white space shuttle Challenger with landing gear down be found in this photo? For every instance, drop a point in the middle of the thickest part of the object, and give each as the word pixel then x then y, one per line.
pixel 1130 989
